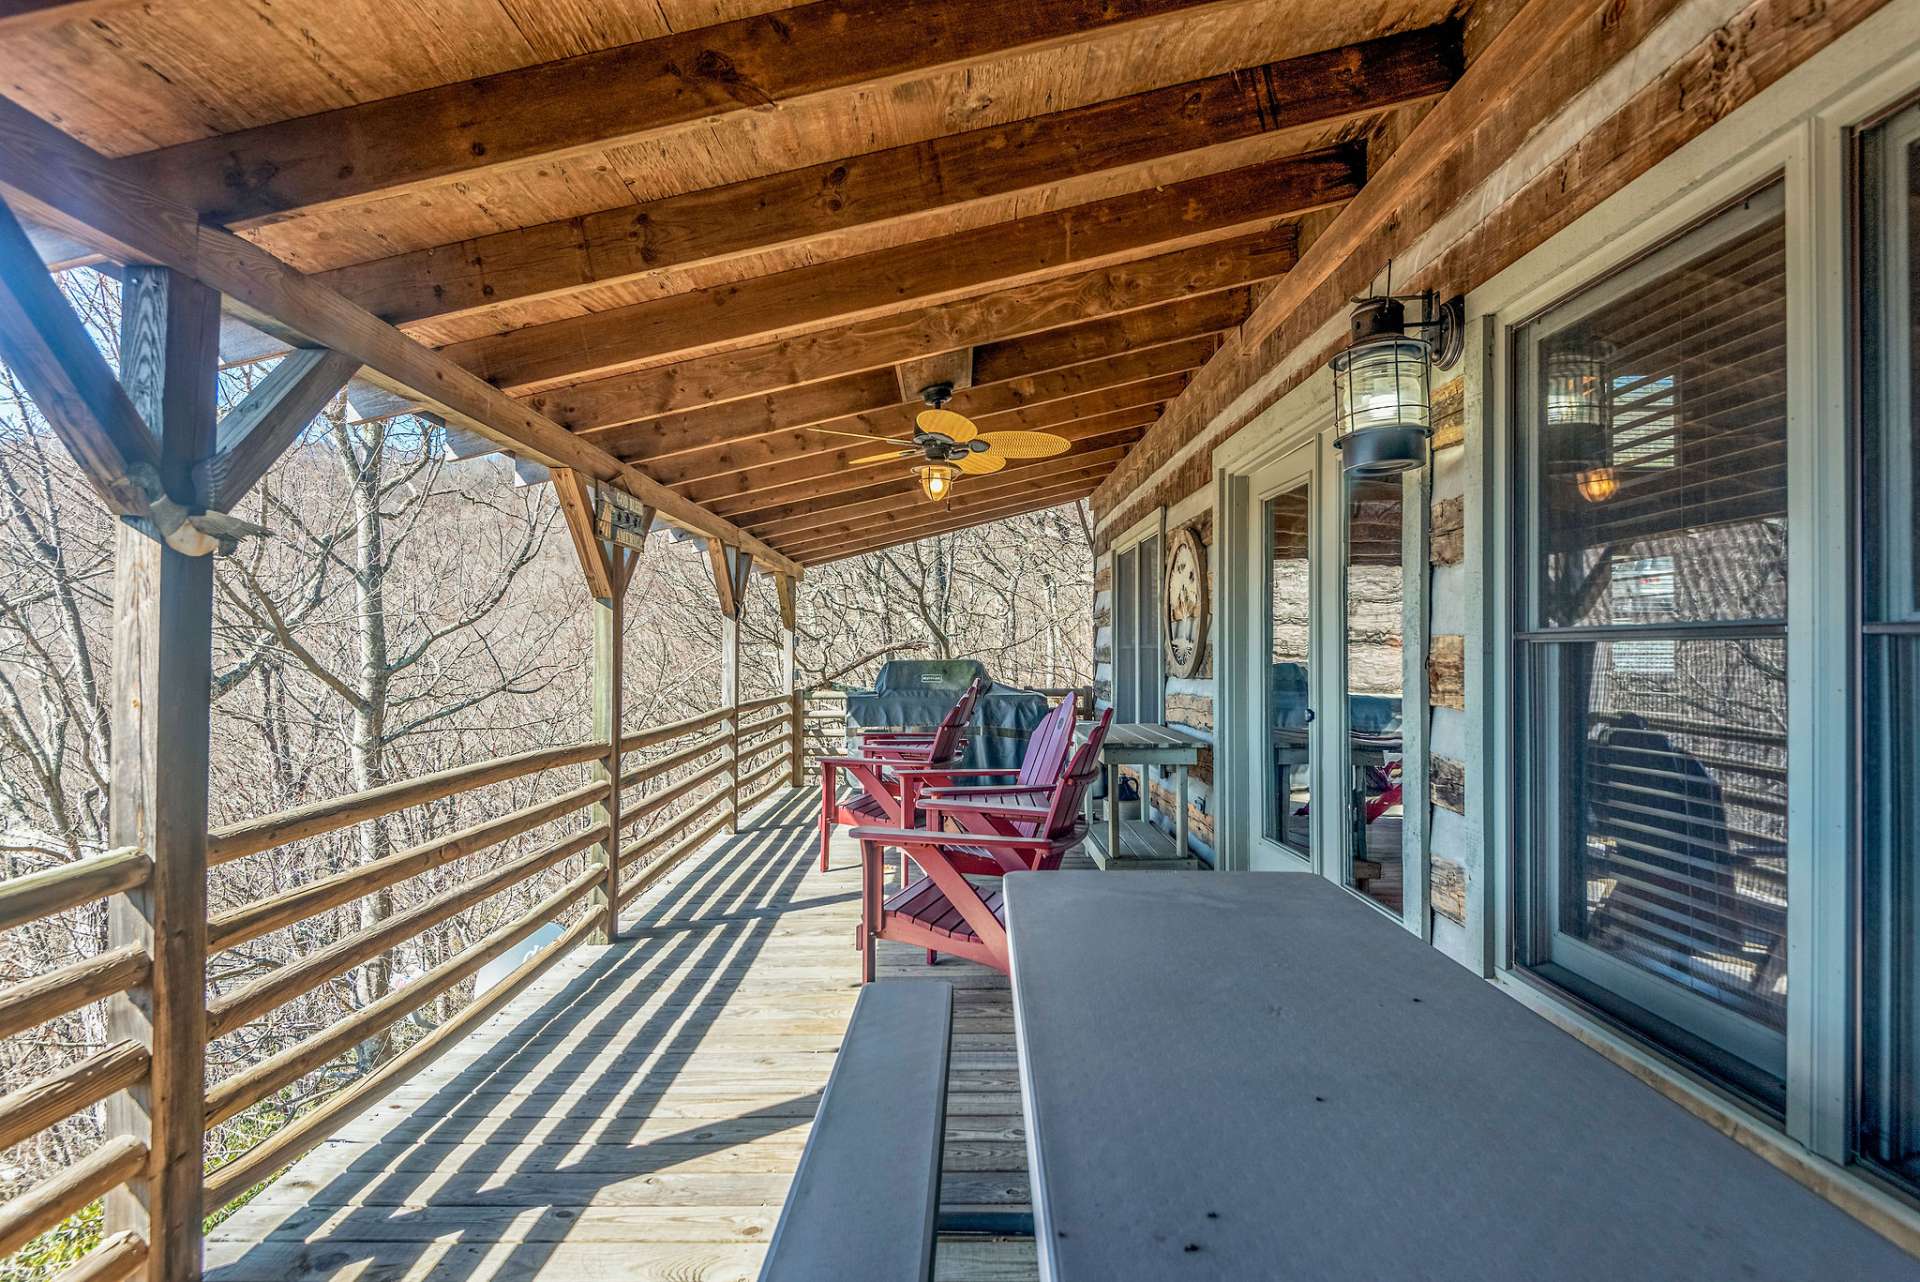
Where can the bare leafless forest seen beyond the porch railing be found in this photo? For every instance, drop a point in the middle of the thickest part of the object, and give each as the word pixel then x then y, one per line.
pixel 408 613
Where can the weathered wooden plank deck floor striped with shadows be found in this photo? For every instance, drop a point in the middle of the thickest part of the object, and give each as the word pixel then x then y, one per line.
pixel 640 1110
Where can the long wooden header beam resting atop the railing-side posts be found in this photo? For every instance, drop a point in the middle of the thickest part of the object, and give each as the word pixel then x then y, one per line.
pixel 78 191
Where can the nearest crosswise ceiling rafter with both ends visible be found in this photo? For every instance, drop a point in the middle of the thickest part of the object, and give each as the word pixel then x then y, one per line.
pixel 903 183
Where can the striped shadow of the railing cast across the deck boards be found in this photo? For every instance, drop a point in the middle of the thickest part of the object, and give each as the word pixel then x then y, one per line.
pixel 683 955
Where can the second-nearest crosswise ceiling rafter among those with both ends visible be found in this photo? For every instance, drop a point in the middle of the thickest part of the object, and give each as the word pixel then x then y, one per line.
pixel 921 273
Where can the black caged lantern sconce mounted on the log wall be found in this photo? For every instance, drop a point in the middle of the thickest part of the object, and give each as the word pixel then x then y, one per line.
pixel 1381 385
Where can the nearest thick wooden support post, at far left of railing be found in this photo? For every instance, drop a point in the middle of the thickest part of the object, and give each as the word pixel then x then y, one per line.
pixel 162 669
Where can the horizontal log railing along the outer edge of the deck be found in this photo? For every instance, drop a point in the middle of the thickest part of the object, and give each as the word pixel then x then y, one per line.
pixel 679 786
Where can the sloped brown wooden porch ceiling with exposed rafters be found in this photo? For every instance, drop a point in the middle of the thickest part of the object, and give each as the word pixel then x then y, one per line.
pixel 700 270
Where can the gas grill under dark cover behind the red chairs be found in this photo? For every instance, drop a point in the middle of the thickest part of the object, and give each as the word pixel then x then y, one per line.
pixel 915 694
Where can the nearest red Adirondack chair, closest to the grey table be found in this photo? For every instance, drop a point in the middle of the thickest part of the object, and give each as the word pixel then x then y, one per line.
pixel 946 911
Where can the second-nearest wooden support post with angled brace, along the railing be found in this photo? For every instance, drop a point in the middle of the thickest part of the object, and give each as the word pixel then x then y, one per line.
pixel 610 569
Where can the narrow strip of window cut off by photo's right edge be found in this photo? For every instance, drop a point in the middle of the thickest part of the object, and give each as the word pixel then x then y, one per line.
pixel 1890 650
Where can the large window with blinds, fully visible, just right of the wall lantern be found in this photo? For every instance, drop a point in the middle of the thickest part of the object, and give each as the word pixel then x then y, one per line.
pixel 1650 648
